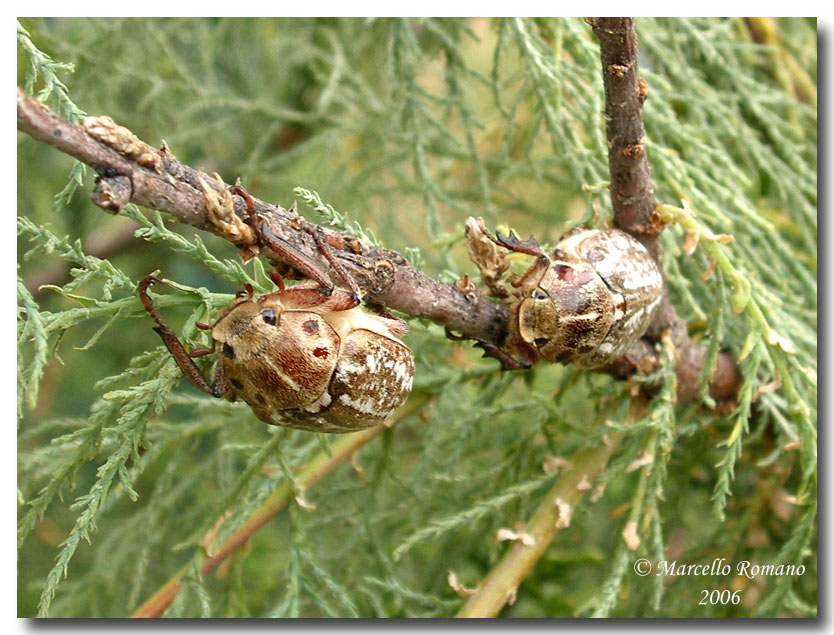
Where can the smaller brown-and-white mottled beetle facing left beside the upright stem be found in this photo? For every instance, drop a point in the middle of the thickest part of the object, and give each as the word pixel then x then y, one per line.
pixel 586 302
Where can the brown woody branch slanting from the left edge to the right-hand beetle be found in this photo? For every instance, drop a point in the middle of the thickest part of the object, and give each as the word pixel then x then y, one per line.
pixel 384 276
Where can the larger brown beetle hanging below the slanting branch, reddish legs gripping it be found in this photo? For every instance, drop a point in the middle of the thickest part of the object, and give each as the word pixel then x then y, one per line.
pixel 301 357
